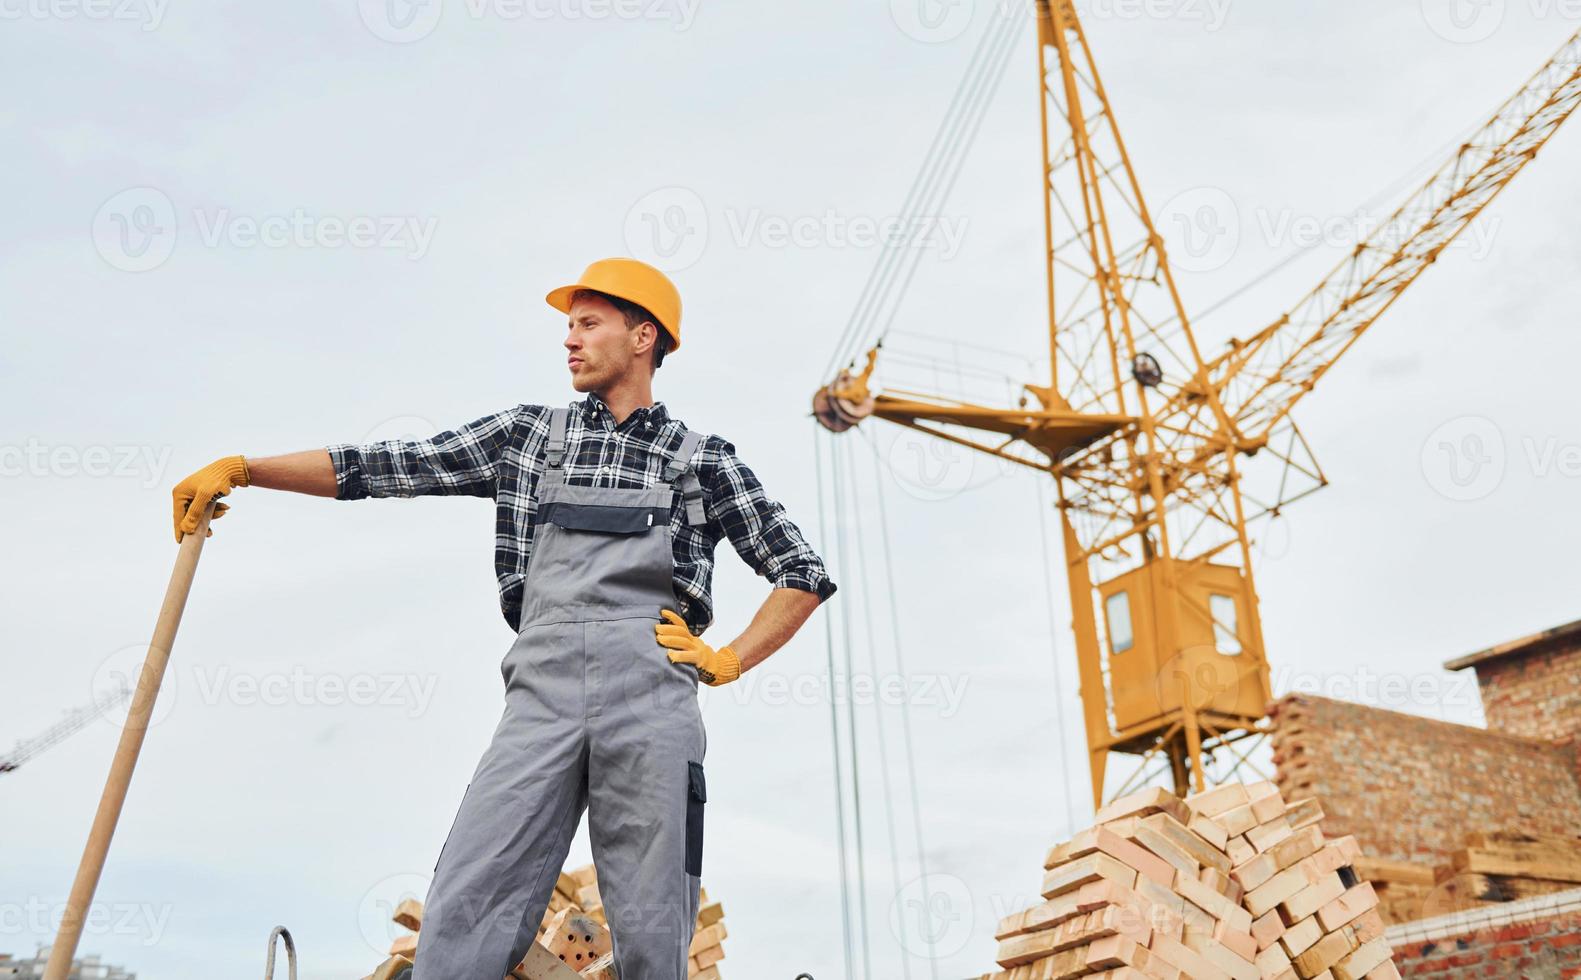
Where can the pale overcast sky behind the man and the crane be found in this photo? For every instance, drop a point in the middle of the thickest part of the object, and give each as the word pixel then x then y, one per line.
pixel 262 228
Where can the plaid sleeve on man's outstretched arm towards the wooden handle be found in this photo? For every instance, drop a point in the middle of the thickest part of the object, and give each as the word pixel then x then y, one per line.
pixel 458 462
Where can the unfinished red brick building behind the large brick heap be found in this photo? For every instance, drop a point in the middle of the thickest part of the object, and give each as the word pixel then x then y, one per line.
pixel 1421 796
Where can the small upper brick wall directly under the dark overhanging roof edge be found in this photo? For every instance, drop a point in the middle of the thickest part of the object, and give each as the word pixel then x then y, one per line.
pixel 1534 693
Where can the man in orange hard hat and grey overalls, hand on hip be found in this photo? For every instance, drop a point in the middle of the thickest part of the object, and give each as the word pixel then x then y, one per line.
pixel 609 511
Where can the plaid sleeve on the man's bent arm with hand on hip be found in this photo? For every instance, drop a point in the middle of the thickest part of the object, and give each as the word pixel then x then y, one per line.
pixel 760 530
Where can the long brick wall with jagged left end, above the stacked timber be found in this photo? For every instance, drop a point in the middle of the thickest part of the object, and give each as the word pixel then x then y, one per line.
pixel 1411 788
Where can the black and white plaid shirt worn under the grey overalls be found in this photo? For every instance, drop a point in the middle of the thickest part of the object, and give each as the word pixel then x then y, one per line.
pixel 502 456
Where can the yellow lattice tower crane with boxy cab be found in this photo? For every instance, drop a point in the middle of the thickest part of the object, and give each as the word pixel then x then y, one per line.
pixel 1150 442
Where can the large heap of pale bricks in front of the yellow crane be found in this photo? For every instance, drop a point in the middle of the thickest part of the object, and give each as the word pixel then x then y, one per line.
pixel 1232 884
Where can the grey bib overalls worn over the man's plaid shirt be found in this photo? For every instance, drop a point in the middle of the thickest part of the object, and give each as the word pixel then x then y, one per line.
pixel 597 718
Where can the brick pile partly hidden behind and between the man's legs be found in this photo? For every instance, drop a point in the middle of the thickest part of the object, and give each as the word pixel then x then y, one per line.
pixel 573 938
